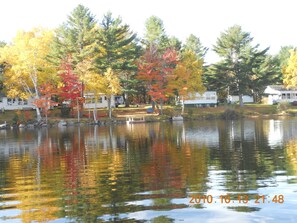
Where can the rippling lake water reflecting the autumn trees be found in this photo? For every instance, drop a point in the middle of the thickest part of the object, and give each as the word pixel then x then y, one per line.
pixel 204 171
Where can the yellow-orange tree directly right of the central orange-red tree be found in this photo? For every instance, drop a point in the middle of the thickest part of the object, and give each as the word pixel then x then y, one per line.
pixel 188 73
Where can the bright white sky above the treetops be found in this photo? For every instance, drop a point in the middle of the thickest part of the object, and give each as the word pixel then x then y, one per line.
pixel 272 23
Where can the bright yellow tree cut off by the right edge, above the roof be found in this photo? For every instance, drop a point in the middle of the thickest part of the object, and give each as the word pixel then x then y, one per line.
pixel 290 71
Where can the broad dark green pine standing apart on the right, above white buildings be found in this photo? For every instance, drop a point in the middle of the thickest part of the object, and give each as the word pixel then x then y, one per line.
pixel 243 68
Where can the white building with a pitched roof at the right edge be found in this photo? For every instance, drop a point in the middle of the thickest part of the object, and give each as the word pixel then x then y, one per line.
pixel 279 93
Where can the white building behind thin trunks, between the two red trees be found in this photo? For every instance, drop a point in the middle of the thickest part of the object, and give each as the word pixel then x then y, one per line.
pixel 101 102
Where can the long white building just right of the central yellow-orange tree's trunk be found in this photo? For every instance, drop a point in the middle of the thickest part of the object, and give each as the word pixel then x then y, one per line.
pixel 207 99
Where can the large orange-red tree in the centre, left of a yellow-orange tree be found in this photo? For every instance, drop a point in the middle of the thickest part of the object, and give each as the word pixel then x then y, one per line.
pixel 156 70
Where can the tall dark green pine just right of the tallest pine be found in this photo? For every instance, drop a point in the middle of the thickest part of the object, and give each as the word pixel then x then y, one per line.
pixel 117 48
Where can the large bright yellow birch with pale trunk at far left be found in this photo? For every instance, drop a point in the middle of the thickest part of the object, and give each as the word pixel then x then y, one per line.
pixel 27 67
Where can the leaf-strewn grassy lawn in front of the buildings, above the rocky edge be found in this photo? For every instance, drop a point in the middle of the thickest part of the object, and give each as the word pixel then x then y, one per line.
pixel 168 111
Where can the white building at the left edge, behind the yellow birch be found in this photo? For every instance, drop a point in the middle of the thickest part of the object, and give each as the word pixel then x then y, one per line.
pixel 15 103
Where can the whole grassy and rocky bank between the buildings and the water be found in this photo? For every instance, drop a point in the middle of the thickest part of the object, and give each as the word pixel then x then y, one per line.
pixel 15 119
